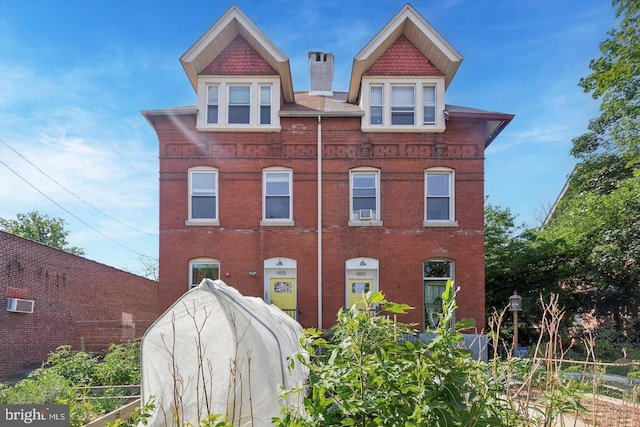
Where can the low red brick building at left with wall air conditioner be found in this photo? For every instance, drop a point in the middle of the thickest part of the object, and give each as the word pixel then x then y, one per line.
pixel 49 297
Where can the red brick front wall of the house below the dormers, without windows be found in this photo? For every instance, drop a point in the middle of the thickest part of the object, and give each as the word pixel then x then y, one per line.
pixel 401 245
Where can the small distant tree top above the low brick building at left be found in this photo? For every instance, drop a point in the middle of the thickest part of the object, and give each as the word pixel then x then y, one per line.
pixel 40 228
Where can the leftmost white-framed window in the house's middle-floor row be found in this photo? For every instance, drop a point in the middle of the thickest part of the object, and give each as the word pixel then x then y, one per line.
pixel 203 196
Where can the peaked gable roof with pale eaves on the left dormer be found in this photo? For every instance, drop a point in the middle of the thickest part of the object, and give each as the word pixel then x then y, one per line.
pixel 223 32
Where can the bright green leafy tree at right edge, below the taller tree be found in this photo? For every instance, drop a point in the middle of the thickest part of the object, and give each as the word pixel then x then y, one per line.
pixel 599 235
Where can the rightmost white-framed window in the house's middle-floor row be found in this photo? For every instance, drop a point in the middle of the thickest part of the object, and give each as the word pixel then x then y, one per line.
pixel 439 197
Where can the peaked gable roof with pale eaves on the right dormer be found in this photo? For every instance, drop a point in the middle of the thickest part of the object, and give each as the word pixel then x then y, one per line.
pixel 411 24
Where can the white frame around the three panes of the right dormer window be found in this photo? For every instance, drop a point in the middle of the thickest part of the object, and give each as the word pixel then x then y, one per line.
pixel 418 83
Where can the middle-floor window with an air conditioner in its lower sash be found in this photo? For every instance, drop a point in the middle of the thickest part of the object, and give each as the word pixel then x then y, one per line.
pixel 365 197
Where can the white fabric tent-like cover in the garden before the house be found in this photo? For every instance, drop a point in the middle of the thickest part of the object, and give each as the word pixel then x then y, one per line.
pixel 215 351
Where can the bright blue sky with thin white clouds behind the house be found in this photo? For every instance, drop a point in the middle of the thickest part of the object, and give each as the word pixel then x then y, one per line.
pixel 74 75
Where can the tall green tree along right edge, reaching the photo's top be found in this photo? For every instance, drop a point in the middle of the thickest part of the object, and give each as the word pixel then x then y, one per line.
pixel 596 229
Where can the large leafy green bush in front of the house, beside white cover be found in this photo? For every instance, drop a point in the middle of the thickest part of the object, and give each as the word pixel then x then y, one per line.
pixel 368 372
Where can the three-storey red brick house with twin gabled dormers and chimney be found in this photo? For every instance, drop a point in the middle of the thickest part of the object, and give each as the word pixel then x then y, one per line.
pixel 309 199
